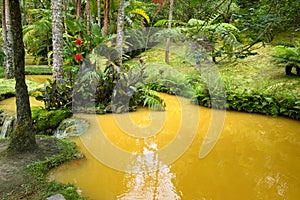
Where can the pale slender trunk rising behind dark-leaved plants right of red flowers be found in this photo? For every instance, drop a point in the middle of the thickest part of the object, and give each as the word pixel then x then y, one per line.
pixel 120 32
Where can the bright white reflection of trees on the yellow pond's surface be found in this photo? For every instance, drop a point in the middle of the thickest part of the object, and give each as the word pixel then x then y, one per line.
pixel 147 182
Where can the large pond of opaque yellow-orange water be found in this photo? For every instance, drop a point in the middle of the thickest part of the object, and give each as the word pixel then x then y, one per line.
pixel 142 155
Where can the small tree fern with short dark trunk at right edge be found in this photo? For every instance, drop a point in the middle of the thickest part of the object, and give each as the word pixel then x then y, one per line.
pixel 288 57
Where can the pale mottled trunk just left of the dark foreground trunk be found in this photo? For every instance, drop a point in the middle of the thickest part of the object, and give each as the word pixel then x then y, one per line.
pixel 7 39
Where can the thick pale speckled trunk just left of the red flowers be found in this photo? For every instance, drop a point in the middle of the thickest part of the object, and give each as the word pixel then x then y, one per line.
pixel 57 39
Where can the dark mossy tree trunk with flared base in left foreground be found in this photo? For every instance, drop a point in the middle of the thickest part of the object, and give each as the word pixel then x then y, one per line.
pixel 23 138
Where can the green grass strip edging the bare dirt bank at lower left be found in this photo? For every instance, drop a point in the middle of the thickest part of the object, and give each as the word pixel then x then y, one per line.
pixel 38 187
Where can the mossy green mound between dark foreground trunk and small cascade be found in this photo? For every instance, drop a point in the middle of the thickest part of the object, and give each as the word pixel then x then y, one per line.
pixel 45 121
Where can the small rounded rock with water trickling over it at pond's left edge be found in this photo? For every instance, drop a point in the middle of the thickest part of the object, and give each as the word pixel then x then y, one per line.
pixel 71 127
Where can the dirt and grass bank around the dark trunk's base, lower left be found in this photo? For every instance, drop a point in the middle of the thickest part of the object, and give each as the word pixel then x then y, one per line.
pixel 22 176
